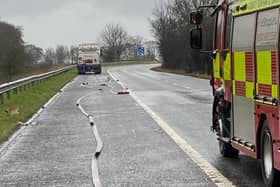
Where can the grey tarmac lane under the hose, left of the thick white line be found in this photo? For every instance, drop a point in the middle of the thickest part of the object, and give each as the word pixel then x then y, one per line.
pixel 56 149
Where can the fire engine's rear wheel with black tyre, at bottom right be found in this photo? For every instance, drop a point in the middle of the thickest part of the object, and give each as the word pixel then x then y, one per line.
pixel 270 175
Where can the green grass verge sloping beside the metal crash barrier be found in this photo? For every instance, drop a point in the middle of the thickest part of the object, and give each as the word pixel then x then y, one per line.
pixel 29 101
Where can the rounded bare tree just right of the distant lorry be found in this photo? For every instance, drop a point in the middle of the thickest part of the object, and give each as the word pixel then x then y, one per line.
pixel 114 40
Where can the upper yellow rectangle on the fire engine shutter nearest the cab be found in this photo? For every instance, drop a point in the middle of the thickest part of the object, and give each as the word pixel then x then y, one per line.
pixel 239 66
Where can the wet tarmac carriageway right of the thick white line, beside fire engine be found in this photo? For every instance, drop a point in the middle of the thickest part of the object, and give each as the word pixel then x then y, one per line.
pixel 184 103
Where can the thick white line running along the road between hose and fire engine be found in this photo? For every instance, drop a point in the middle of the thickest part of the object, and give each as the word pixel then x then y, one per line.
pixel 217 177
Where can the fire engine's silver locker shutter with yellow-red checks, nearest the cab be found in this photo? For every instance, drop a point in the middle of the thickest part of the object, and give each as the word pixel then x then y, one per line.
pixel 243 83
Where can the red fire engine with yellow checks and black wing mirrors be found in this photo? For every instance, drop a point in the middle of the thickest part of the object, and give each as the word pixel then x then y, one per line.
pixel 245 80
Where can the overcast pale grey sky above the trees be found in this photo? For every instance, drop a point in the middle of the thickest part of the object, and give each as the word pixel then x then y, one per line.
pixel 47 23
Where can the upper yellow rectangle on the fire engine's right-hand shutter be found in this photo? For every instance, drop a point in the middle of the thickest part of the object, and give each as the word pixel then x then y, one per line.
pixel 264 67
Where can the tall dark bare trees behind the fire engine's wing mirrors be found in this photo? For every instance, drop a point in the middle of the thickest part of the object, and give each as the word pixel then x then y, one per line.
pixel 170 26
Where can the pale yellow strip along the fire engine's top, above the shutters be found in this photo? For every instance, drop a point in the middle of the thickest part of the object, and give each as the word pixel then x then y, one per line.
pixel 246 6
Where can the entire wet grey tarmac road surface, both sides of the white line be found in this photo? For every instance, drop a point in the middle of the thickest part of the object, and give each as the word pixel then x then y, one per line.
pixel 56 149
